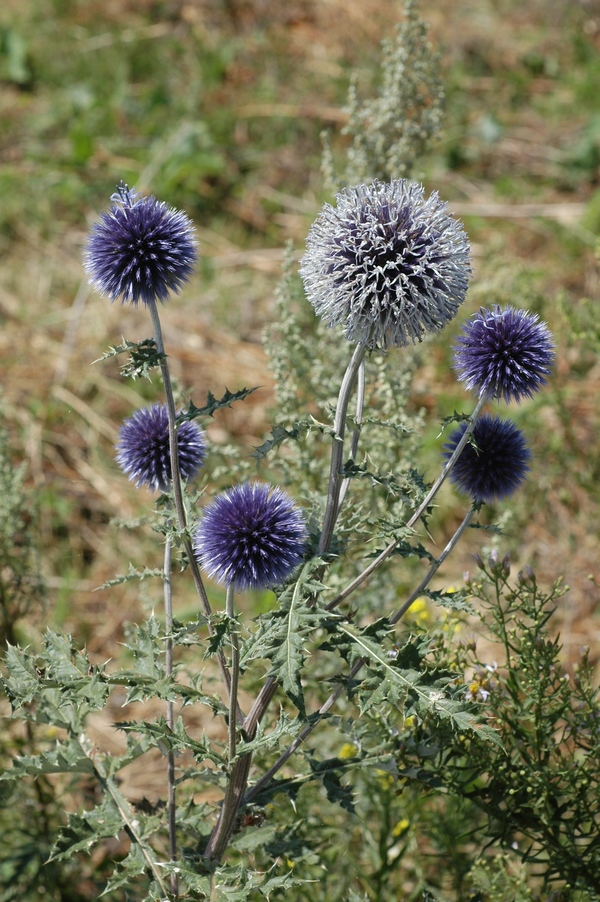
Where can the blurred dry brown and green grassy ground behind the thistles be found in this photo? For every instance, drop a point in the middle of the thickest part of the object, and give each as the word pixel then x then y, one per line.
pixel 218 107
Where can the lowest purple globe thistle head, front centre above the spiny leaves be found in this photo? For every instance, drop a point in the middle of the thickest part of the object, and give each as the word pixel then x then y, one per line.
pixel 251 537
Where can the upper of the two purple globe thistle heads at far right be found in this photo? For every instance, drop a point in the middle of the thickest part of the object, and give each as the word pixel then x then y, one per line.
pixel 504 353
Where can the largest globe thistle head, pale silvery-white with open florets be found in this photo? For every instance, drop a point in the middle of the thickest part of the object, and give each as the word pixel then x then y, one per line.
pixel 386 263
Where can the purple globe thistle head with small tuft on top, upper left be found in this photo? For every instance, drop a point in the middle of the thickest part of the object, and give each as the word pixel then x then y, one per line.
pixel 141 250
